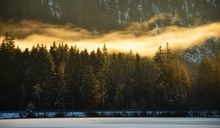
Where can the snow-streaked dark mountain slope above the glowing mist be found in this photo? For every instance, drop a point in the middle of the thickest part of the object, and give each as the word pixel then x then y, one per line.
pixel 105 15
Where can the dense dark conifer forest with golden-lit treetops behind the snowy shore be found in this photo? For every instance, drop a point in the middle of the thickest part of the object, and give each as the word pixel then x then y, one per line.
pixel 64 78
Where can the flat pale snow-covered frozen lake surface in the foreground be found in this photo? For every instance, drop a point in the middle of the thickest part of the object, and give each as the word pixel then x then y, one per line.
pixel 111 123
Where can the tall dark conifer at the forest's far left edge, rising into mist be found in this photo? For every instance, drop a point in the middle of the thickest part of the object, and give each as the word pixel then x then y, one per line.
pixel 9 72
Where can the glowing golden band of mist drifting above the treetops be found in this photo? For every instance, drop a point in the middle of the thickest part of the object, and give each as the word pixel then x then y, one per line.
pixel 136 37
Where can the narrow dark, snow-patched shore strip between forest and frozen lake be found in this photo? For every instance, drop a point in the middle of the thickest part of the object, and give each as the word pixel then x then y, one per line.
pixel 108 113
